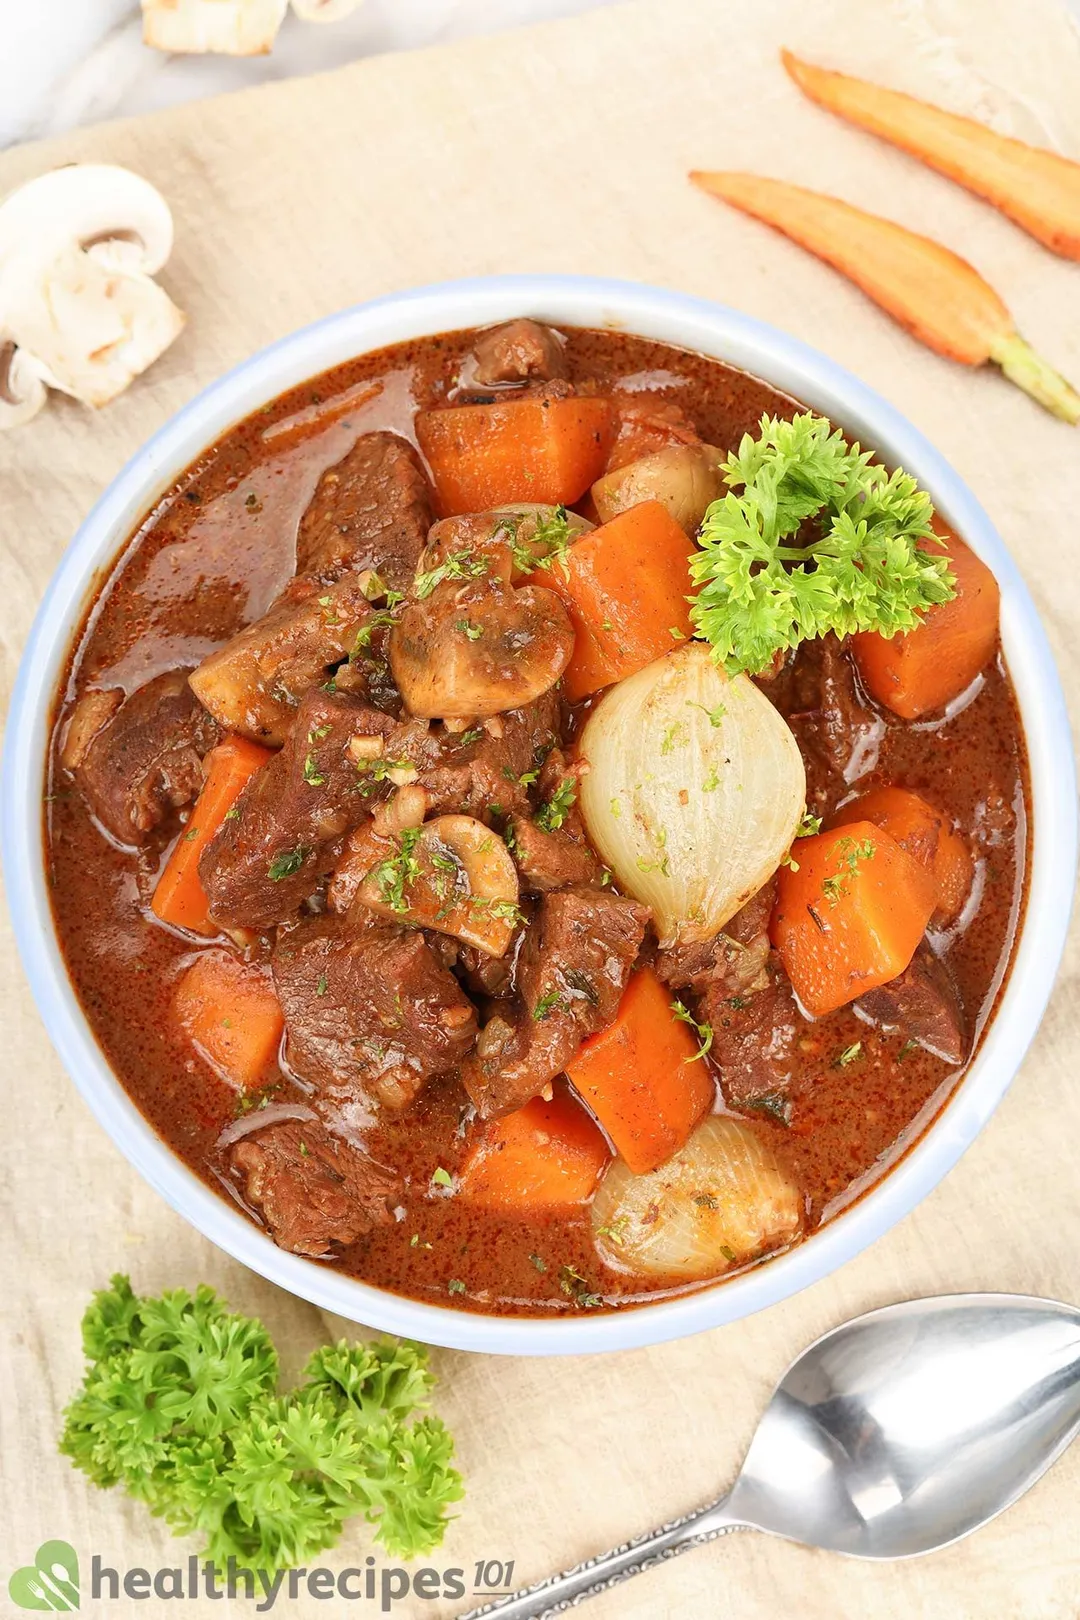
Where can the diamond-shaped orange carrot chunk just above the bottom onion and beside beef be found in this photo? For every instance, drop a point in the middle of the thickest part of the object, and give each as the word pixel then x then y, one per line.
pixel 640 1076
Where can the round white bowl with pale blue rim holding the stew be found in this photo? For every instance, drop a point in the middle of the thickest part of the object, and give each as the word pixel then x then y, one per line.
pixel 694 325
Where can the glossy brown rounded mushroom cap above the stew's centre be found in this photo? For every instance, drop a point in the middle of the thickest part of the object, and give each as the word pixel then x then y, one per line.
pixel 472 649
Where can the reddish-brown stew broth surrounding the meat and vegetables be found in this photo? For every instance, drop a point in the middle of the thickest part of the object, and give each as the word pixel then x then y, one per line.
pixel 210 560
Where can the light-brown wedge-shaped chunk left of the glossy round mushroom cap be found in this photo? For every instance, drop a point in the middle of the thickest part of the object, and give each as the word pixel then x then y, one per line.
pixel 255 683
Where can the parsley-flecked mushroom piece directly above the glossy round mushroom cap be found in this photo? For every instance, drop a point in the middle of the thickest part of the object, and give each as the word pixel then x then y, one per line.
pixel 512 542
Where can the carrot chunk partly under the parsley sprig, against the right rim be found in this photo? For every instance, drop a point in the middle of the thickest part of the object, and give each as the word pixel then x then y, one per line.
pixel 927 668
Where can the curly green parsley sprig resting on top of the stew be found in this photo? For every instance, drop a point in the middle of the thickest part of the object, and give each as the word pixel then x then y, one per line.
pixel 812 537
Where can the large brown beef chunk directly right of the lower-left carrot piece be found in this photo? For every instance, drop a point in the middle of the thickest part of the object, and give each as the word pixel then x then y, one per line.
pixel 370 1010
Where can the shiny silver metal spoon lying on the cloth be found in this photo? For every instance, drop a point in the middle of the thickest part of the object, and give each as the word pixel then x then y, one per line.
pixel 895 1435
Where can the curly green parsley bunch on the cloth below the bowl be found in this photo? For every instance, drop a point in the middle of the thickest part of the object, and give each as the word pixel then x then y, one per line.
pixel 179 1407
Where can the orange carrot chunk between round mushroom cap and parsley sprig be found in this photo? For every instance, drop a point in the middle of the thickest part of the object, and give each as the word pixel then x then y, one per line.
pixel 626 587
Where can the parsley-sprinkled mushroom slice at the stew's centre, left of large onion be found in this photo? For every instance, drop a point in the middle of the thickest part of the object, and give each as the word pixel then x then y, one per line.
pixel 453 876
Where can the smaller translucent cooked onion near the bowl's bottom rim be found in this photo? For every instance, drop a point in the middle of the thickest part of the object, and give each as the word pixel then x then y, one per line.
pixel 718 1203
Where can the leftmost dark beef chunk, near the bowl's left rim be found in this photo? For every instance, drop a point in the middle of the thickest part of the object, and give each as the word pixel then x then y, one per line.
pixel 147 759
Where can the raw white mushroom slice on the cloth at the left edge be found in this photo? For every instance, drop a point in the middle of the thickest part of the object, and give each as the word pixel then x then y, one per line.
pixel 80 310
